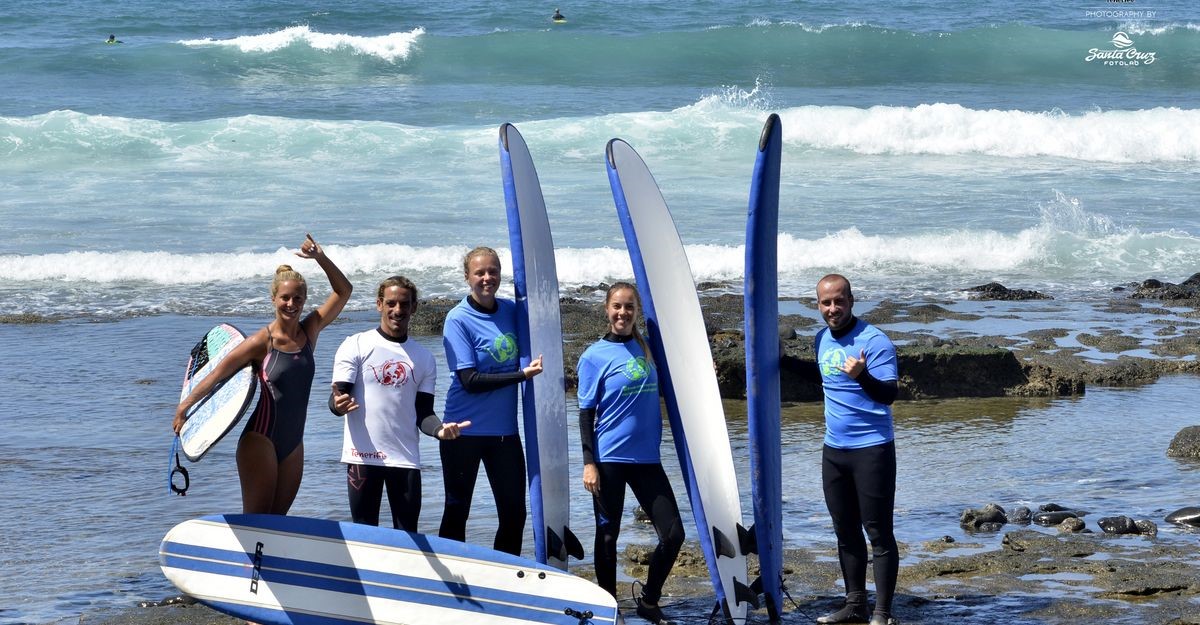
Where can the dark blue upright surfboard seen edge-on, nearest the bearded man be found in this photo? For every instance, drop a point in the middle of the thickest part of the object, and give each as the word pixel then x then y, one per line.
pixel 761 302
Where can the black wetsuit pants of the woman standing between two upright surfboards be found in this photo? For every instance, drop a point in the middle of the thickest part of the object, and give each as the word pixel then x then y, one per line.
pixel 653 492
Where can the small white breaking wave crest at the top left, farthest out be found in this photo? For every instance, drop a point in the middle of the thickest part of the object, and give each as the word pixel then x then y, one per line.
pixel 392 47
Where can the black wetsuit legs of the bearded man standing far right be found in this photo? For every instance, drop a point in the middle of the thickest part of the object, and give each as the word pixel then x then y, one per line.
pixel 860 490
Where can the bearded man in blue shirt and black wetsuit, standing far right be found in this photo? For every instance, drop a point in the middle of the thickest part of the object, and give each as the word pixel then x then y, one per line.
pixel 857 369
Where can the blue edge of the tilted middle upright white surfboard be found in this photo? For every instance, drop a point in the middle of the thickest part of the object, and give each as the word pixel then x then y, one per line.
pixel 656 344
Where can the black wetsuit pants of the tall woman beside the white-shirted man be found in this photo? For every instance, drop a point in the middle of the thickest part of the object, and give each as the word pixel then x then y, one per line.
pixel 505 462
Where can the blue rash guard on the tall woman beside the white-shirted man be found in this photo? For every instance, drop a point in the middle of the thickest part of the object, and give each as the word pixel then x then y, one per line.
pixel 487 342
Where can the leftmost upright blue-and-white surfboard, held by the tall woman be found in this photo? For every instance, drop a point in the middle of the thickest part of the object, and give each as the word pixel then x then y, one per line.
pixel 539 332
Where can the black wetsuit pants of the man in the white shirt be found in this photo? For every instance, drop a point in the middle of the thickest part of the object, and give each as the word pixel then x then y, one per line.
pixel 365 485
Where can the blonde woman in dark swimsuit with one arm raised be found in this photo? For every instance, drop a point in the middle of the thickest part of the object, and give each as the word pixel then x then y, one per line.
pixel 271 452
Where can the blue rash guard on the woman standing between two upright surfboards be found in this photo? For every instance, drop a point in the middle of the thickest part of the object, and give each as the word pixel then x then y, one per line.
pixel 623 388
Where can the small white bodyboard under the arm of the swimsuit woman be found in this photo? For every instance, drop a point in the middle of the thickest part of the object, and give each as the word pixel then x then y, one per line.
pixel 215 414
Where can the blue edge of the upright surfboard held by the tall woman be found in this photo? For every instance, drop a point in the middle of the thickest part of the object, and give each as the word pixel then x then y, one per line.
pixel 529 401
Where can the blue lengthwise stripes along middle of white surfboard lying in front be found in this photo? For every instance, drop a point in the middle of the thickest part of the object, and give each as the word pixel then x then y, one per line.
pixel 351 581
